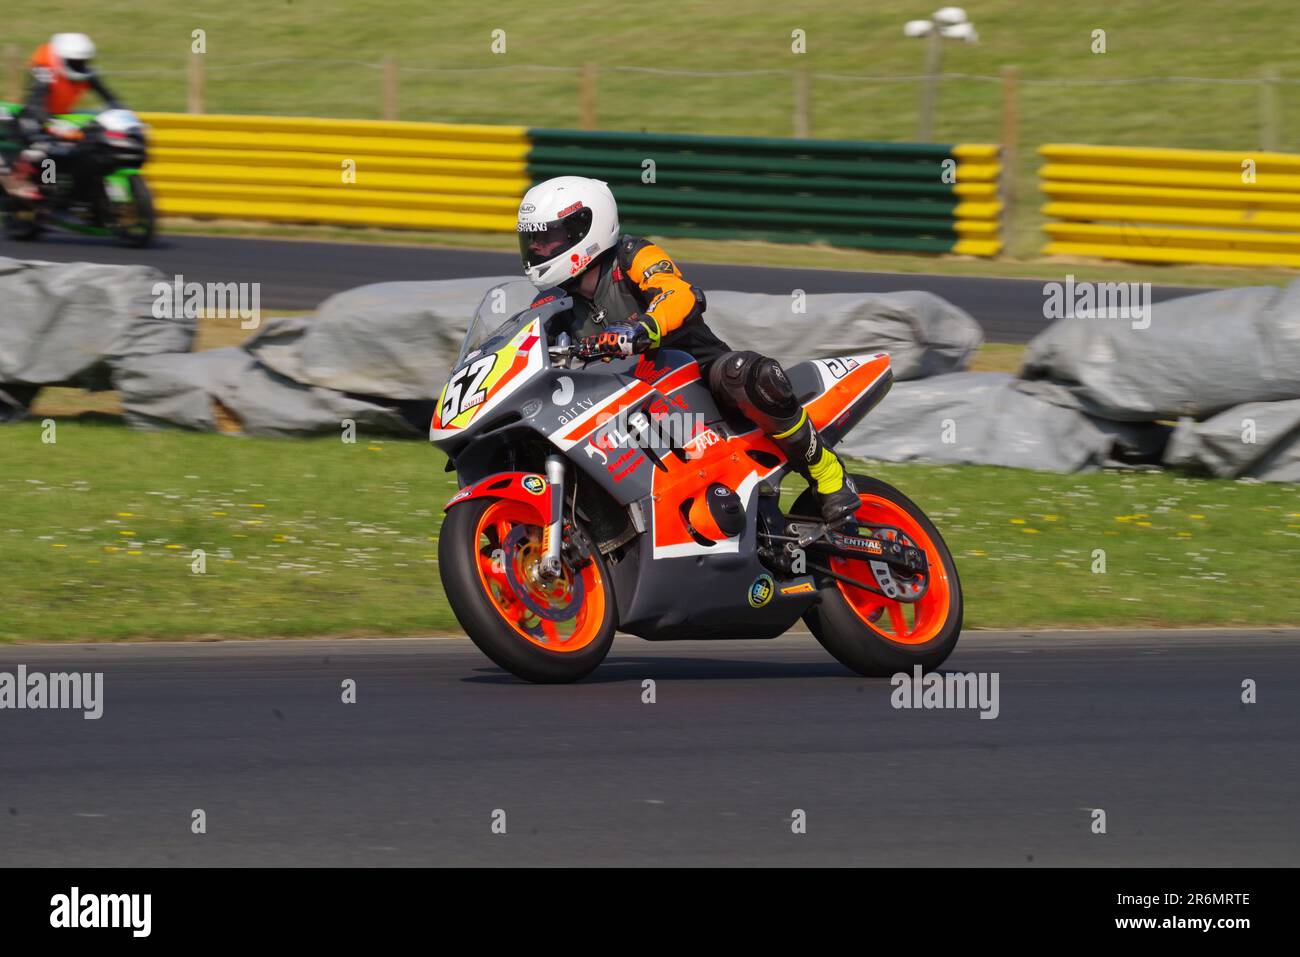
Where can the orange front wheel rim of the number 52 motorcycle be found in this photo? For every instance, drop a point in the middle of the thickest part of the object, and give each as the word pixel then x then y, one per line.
pixel 571 635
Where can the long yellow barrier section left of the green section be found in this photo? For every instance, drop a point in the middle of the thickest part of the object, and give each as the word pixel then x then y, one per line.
pixel 340 172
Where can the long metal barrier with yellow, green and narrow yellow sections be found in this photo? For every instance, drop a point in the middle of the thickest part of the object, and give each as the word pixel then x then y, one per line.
pixel 928 198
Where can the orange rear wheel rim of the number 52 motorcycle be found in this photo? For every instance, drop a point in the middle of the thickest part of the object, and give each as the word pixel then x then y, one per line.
pixel 907 625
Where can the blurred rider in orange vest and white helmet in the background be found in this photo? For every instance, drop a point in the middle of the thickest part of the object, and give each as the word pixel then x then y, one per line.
pixel 60 72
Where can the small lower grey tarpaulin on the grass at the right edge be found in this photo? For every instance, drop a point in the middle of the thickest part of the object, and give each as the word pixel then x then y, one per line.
pixel 1223 445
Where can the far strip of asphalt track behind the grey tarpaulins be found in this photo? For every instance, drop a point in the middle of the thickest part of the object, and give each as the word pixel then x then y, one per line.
pixel 301 275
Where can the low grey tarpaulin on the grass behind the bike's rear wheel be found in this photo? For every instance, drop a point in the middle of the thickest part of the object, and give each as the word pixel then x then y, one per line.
pixel 985 418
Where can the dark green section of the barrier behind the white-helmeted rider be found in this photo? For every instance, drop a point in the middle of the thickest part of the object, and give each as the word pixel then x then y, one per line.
pixel 865 196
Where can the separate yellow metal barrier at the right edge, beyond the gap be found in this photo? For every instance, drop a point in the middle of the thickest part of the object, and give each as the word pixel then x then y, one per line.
pixel 1172 206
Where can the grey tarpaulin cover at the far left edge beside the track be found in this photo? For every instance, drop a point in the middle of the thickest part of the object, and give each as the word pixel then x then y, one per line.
pixel 67 323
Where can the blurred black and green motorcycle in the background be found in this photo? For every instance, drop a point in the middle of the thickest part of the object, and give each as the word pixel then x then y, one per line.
pixel 98 188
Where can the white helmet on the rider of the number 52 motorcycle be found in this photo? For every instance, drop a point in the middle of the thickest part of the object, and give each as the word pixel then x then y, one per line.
pixel 564 226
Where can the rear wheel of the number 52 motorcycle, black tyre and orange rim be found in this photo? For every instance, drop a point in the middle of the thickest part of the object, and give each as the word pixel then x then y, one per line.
pixel 869 633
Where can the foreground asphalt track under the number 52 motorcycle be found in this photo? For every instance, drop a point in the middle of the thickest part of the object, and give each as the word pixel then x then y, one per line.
pixel 1149 728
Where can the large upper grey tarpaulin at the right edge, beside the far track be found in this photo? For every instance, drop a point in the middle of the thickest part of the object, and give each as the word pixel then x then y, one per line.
pixel 1201 356
